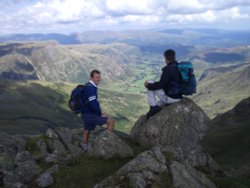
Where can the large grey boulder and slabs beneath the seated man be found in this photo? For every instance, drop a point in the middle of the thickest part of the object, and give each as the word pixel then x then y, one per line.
pixel 172 138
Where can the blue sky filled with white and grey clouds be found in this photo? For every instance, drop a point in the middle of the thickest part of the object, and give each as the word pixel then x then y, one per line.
pixel 70 16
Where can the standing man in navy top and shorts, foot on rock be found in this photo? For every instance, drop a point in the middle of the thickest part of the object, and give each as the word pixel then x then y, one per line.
pixel 91 112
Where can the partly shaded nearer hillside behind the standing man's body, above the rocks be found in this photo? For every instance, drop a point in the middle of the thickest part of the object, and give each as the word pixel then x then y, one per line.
pixel 28 107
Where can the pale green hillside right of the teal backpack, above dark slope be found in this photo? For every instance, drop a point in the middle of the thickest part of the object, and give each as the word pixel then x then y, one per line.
pixel 222 92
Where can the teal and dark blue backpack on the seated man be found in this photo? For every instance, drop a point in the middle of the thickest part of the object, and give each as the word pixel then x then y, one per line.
pixel 188 83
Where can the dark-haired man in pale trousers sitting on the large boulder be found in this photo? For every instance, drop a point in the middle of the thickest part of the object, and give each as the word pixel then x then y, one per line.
pixel 164 89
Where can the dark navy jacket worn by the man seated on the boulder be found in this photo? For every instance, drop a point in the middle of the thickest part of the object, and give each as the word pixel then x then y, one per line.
pixel 170 73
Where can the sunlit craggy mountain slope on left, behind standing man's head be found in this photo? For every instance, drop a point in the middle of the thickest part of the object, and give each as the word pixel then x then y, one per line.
pixel 53 62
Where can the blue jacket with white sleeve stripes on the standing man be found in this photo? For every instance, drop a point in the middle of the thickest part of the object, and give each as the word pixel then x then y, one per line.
pixel 91 105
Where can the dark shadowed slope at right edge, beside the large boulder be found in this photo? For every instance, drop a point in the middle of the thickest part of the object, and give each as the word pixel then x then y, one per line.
pixel 228 139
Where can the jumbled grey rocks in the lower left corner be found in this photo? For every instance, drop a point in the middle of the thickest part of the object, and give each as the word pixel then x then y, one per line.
pixel 19 156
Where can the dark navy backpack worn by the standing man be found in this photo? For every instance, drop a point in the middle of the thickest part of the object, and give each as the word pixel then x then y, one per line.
pixel 77 100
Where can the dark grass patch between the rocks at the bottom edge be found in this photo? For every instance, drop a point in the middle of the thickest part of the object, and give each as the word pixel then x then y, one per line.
pixel 87 172
